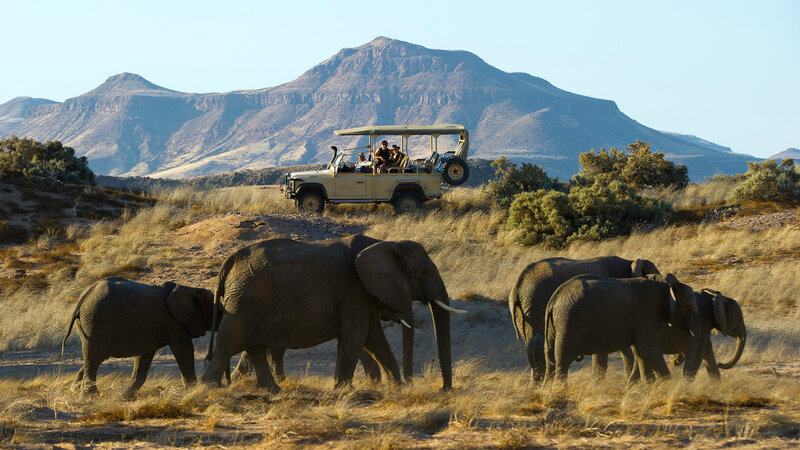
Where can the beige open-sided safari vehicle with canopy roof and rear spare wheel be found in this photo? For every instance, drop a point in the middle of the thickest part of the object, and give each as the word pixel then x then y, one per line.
pixel 405 185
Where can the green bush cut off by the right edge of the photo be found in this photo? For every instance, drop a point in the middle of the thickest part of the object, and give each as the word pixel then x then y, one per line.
pixel 769 181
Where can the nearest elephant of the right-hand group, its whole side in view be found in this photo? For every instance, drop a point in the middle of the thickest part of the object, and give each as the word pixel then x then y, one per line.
pixel 589 314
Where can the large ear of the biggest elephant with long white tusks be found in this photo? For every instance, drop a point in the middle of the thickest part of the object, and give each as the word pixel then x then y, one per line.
pixel 381 272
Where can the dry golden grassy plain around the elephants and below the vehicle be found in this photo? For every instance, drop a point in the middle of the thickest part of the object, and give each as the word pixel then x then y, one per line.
pixel 188 234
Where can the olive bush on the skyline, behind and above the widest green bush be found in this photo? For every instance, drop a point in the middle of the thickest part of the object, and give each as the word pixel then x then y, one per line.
pixel 636 166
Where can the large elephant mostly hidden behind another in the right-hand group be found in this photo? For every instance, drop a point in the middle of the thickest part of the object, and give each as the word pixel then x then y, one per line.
pixel 536 284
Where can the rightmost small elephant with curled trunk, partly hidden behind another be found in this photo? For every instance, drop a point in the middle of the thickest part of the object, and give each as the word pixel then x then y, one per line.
pixel 715 311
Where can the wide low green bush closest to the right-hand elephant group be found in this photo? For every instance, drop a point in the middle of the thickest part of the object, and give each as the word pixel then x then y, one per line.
pixel 601 210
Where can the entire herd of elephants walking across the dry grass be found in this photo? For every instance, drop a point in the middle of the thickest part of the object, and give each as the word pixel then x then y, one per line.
pixel 281 293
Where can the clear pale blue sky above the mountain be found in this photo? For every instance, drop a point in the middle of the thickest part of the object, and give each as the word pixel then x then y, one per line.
pixel 726 71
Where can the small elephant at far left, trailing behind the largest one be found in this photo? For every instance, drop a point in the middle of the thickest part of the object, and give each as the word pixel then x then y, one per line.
pixel 120 318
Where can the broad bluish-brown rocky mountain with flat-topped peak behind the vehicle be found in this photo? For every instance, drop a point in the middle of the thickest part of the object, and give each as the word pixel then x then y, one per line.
pixel 129 126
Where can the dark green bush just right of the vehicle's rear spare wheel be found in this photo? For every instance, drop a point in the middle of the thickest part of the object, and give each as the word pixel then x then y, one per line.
pixel 511 180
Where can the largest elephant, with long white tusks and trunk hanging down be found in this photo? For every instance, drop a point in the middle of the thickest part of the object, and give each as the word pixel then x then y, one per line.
pixel 287 294
